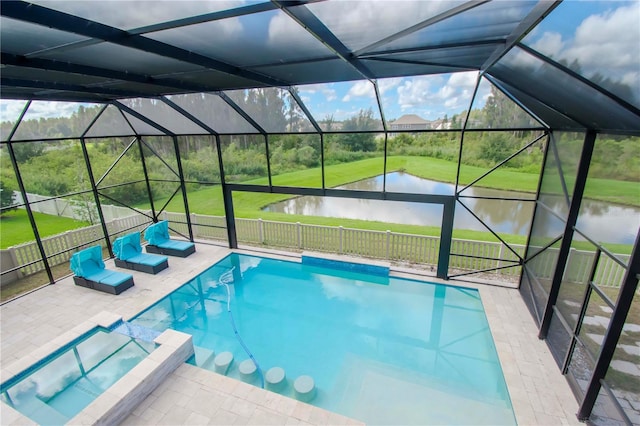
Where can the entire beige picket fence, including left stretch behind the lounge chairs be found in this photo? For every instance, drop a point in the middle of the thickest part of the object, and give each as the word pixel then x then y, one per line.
pixel 386 245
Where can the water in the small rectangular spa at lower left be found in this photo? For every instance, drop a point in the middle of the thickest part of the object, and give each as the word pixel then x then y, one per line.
pixel 56 390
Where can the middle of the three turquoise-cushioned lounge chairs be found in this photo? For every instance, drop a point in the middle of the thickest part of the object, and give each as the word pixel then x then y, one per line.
pixel 129 255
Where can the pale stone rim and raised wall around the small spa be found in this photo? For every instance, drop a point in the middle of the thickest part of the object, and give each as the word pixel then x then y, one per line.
pixel 118 401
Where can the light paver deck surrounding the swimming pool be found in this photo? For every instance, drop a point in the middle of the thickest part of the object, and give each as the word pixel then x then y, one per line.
pixel 190 396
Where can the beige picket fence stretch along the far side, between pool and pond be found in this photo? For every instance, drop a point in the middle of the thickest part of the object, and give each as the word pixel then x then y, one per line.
pixel 399 247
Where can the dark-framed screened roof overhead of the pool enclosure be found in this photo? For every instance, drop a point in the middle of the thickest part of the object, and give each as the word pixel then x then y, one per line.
pixel 102 51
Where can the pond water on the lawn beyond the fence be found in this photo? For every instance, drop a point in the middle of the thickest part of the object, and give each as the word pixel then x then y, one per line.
pixel 601 221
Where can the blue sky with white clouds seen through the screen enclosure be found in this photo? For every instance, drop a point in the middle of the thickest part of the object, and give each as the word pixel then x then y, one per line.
pixel 575 31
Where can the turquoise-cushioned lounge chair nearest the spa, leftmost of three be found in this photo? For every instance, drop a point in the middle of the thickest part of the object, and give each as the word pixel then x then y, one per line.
pixel 89 270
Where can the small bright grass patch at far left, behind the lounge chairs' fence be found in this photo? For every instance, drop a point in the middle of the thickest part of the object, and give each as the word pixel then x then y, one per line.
pixel 15 227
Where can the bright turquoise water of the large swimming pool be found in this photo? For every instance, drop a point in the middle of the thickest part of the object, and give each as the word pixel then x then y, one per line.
pixel 380 349
